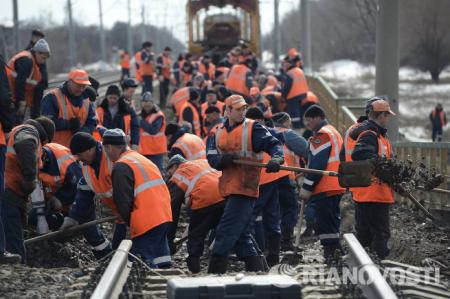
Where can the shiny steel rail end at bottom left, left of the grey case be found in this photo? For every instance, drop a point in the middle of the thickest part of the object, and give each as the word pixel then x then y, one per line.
pixel 115 275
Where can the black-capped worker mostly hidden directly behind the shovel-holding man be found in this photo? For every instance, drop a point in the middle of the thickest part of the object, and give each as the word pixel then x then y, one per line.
pixel 266 213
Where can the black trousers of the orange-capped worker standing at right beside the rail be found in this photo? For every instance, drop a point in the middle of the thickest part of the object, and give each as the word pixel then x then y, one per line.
pixel 372 226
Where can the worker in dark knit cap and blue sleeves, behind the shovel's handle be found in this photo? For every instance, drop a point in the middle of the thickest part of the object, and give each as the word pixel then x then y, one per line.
pixel 296 154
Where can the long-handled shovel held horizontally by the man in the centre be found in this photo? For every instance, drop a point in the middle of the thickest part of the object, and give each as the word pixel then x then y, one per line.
pixel 349 174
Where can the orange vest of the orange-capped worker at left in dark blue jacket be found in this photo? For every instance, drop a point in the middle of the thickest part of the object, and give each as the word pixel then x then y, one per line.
pixel 68 111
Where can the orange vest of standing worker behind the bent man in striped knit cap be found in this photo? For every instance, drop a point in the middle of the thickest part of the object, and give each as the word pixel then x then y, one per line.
pixel 153 144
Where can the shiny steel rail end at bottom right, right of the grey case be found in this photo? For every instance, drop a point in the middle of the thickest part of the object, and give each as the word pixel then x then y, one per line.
pixel 375 286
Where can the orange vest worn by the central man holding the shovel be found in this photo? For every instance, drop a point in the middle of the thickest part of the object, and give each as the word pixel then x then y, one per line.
pixel 238 179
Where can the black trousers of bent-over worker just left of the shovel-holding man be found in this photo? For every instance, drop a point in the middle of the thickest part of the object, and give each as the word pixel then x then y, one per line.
pixel 201 222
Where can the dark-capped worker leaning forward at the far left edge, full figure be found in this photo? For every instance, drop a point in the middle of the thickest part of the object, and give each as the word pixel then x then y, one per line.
pixel 23 159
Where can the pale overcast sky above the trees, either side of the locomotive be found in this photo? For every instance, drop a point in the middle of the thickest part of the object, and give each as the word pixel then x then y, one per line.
pixel 162 13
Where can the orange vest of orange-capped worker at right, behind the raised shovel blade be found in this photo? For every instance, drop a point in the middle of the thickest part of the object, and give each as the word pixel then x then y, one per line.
pixel 377 191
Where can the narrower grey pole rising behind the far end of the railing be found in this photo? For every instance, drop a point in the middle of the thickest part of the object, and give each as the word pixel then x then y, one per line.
pixel 305 46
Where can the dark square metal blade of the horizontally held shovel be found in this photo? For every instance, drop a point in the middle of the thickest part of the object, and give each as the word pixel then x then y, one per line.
pixel 355 173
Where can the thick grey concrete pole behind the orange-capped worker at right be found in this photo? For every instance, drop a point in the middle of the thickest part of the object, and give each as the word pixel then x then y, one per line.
pixel 387 63
